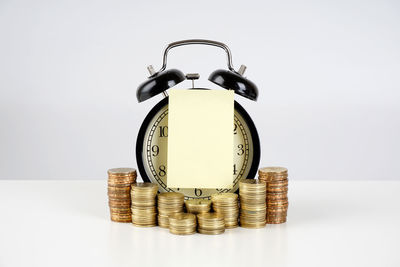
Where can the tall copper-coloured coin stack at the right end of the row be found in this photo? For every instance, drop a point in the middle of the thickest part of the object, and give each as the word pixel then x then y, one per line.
pixel 277 193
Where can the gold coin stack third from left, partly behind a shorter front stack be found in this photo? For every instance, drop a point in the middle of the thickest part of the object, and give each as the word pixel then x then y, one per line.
pixel 168 204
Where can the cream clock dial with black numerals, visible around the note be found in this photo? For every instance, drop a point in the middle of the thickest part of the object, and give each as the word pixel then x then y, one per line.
pixel 155 147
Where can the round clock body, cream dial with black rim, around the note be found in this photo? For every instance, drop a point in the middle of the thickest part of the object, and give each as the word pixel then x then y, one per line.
pixel 152 150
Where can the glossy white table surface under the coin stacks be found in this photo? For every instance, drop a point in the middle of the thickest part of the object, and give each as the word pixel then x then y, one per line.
pixel 66 223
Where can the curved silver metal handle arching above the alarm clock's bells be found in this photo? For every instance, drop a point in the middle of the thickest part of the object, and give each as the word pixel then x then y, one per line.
pixel 198 41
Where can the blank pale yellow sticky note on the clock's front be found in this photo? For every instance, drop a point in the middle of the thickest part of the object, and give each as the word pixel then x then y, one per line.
pixel 200 139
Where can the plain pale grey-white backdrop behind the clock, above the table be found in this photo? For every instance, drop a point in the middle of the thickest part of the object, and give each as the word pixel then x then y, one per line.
pixel 327 72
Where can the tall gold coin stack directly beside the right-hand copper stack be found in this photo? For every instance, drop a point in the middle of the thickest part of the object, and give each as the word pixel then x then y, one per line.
pixel 252 203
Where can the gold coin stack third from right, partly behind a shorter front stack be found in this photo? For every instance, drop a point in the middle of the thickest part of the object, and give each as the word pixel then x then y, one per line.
pixel 227 205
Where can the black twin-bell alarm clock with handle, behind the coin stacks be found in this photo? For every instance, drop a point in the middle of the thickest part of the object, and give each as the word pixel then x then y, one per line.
pixel 152 139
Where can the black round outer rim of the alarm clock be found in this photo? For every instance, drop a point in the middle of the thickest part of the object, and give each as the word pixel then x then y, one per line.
pixel 142 131
